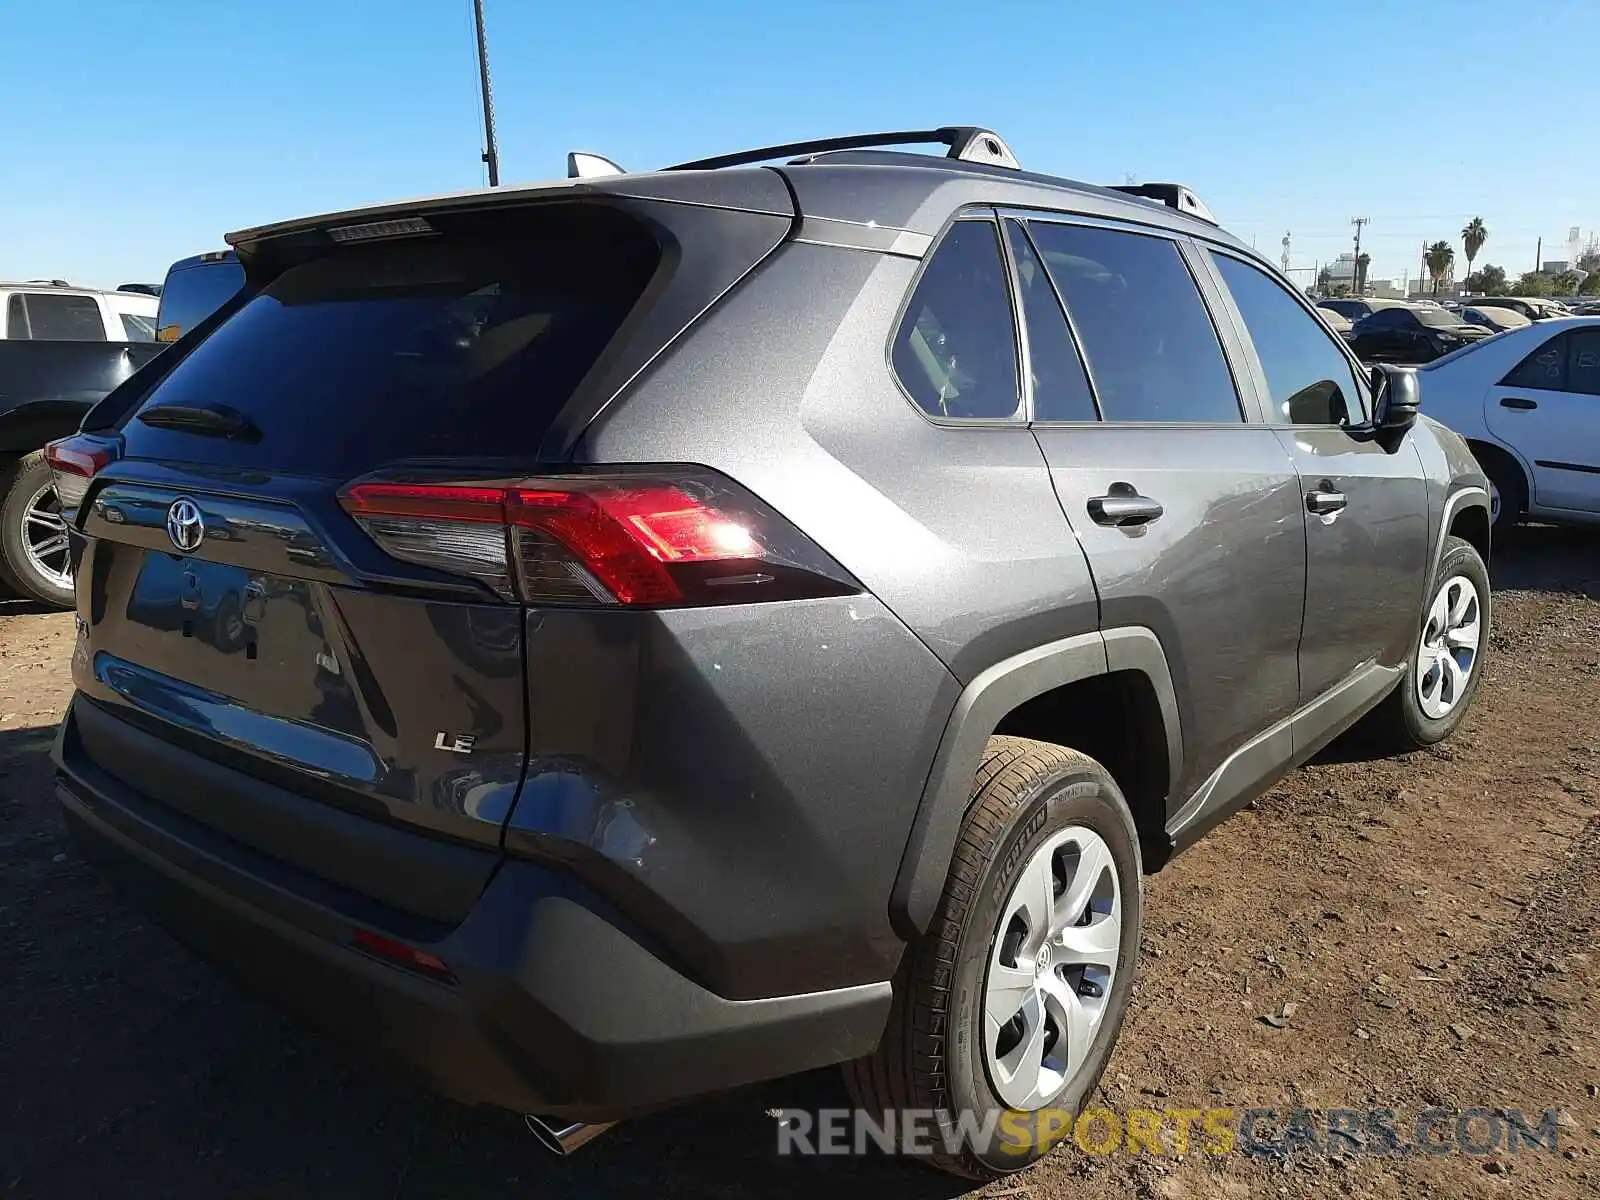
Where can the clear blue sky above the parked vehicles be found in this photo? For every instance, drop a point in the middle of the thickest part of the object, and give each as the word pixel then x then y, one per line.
pixel 143 130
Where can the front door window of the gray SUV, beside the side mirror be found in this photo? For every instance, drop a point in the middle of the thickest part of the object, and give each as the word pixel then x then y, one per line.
pixel 1310 378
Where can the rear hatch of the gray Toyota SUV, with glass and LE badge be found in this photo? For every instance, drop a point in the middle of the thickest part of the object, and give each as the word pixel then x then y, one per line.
pixel 233 606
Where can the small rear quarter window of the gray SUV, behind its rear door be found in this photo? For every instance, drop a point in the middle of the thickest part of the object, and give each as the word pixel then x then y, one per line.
pixel 956 350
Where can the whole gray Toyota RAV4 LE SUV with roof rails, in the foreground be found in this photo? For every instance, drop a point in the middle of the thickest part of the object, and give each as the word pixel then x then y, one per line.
pixel 609 642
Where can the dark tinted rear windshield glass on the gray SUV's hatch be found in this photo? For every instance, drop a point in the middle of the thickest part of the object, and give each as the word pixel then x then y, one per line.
pixel 412 348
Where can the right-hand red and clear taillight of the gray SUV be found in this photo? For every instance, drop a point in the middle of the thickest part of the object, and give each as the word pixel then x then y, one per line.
pixel 620 540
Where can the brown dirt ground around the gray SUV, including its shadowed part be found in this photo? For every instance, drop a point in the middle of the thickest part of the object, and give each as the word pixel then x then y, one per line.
pixel 1430 921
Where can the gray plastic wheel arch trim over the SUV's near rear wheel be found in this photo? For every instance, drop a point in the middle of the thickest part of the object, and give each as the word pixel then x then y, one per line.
pixel 978 713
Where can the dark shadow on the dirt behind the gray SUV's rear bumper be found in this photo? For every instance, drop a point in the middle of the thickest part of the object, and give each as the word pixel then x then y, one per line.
pixel 134 1070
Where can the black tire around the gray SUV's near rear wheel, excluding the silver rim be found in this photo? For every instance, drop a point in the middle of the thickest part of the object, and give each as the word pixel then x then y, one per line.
pixel 932 1054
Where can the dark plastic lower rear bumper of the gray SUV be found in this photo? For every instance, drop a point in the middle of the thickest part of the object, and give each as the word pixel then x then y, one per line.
pixel 554 1009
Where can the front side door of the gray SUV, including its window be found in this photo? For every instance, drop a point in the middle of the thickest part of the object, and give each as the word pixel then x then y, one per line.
pixel 1364 511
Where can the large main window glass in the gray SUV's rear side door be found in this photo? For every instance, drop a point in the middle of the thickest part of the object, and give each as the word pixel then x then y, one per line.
pixel 1146 334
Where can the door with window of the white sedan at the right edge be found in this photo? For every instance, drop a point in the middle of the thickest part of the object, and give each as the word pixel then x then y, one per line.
pixel 1548 410
